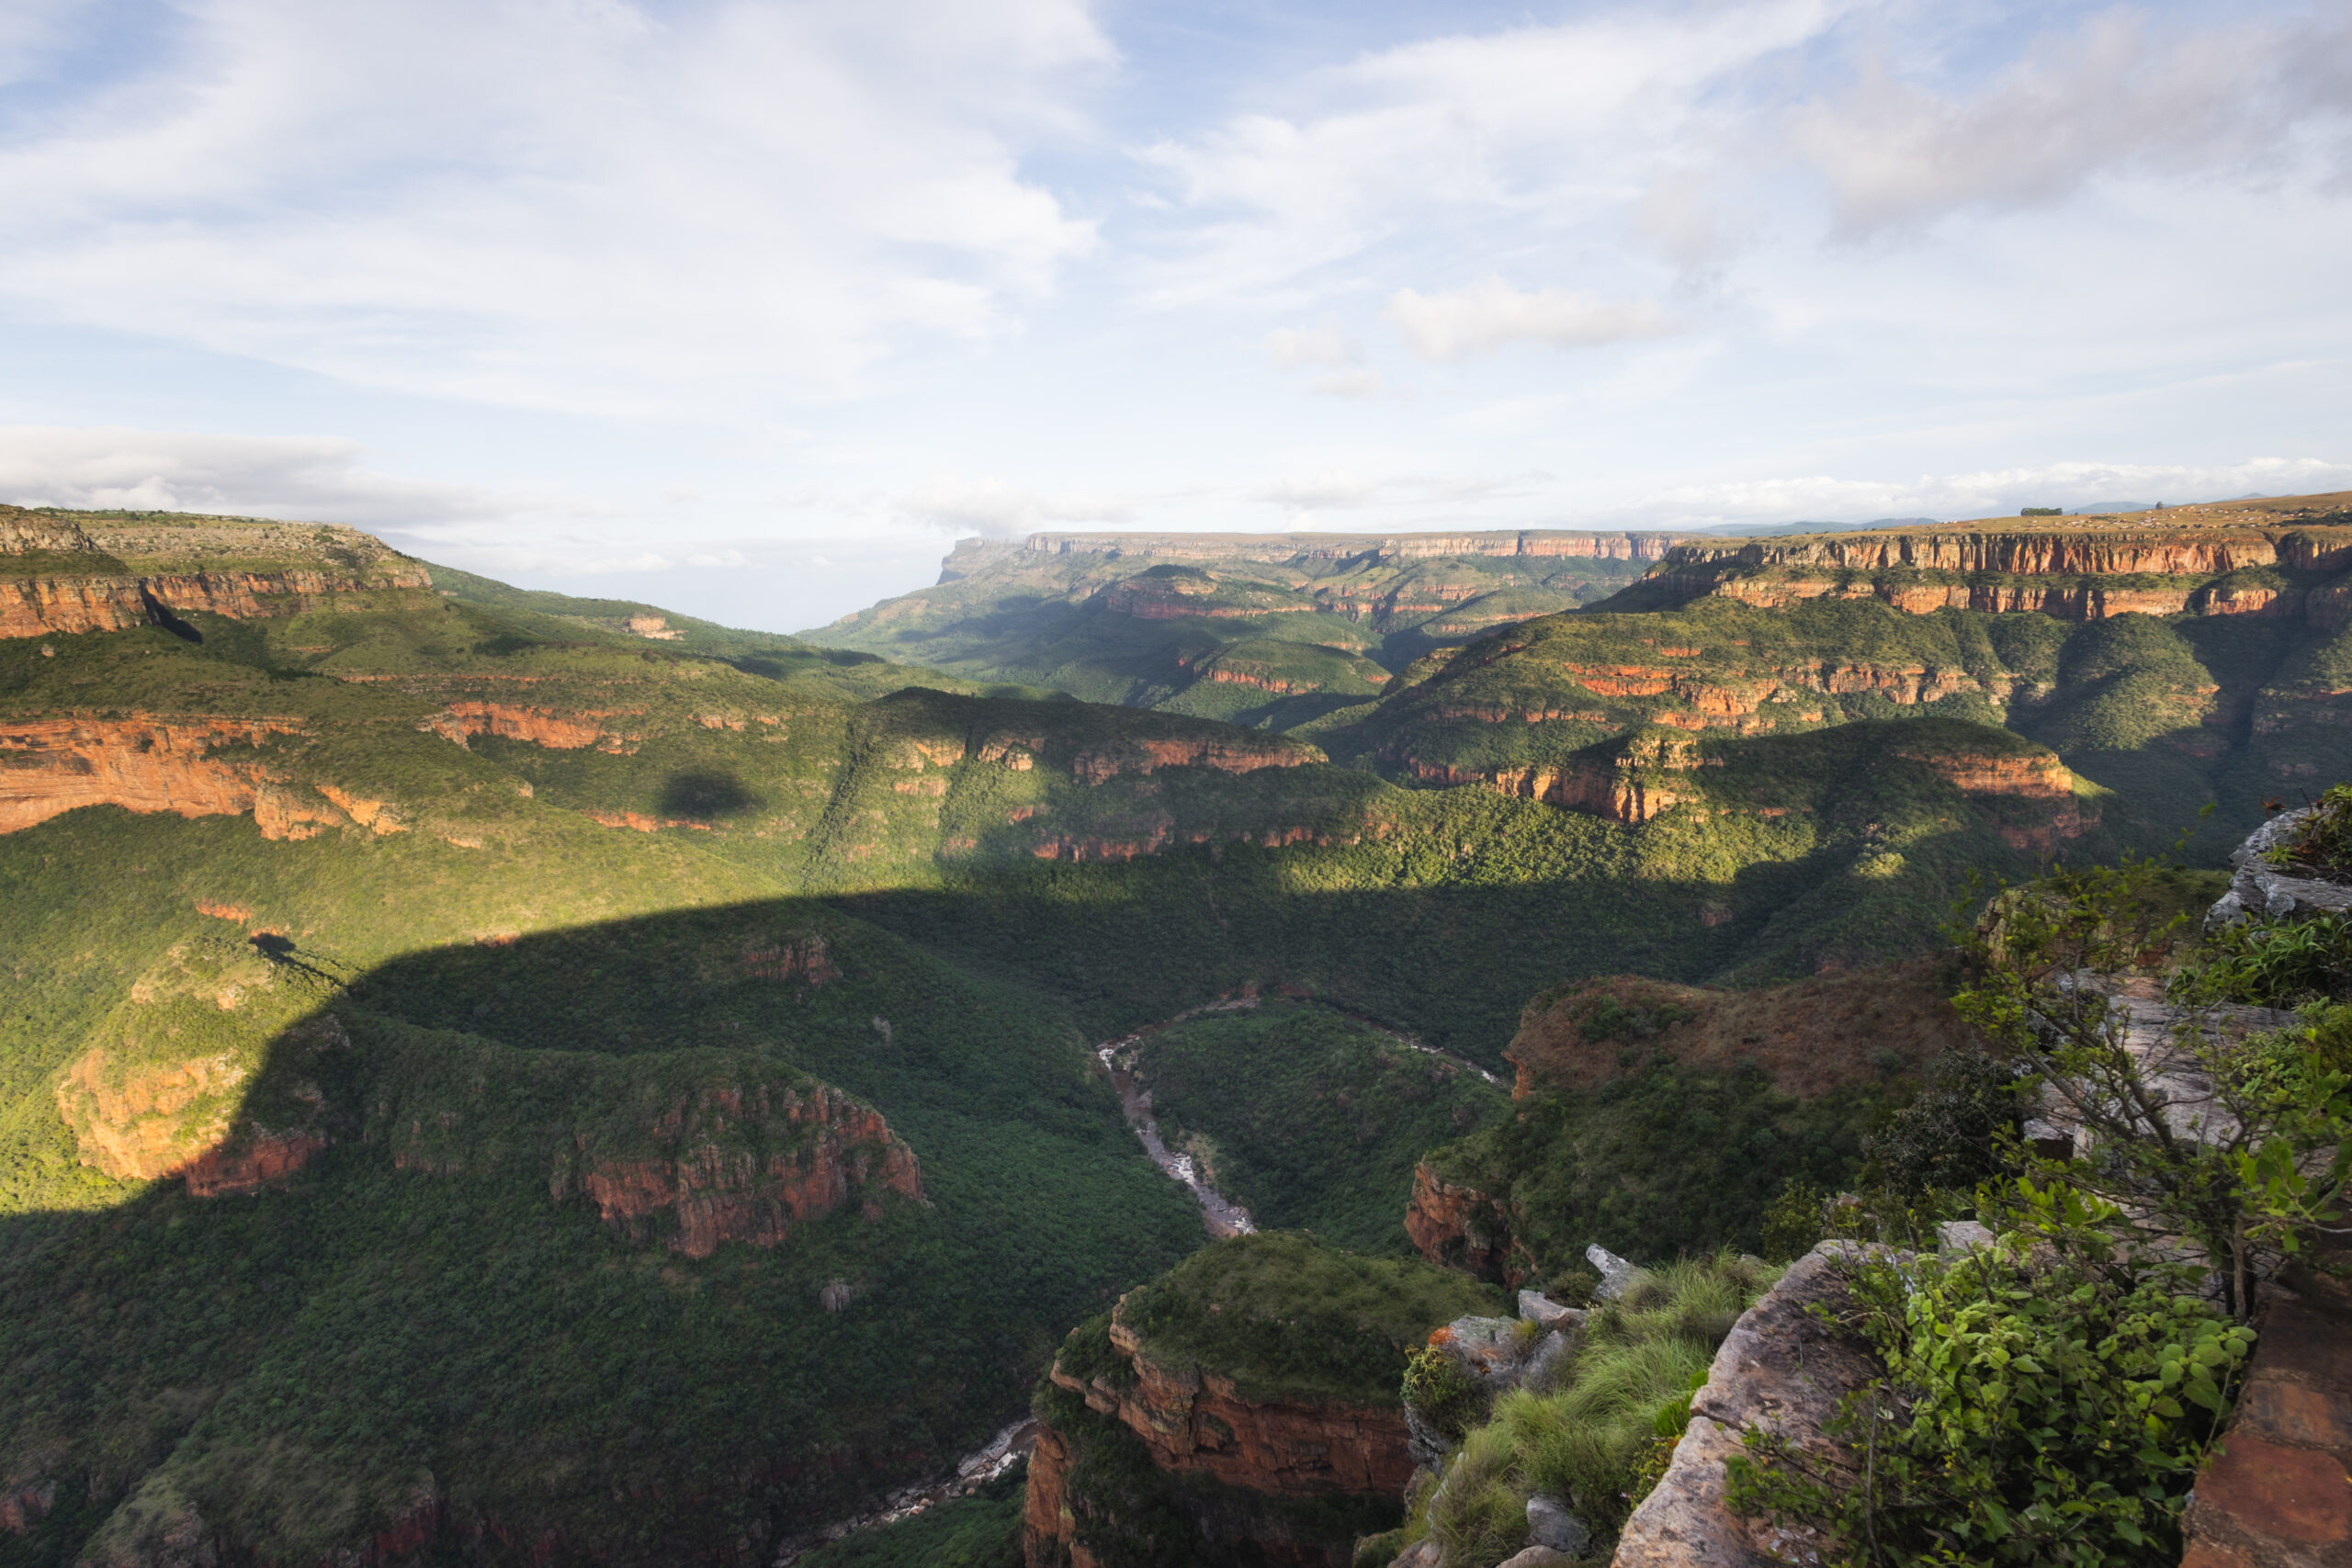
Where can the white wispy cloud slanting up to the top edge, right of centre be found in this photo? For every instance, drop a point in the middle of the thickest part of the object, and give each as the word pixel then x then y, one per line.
pixel 1532 128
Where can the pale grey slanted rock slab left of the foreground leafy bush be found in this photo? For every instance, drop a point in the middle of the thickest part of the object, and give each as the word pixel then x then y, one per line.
pixel 1779 1372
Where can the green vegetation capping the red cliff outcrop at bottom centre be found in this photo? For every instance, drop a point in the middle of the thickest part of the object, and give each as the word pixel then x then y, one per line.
pixel 1290 1318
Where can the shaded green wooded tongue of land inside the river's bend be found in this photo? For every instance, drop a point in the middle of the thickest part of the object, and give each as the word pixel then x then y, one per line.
pixel 1309 1118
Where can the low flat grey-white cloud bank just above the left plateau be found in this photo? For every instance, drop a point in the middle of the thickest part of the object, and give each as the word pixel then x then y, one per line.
pixel 307 476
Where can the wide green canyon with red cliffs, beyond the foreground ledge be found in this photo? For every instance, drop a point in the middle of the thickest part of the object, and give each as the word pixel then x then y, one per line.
pixel 507 1078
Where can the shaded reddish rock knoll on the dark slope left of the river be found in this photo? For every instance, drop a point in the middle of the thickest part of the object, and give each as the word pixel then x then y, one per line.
pixel 744 1165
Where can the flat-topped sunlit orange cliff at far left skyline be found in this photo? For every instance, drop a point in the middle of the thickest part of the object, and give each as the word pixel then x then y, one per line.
pixel 98 575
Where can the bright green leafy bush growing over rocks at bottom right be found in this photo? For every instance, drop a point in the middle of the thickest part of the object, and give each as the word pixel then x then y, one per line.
pixel 2033 1412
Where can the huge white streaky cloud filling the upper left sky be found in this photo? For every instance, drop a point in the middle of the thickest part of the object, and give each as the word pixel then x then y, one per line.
pixel 589 206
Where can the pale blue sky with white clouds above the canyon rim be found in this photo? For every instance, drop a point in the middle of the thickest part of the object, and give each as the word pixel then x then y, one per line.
pixel 751 307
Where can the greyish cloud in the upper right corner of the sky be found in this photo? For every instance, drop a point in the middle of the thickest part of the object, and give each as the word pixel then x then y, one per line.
pixel 2109 98
